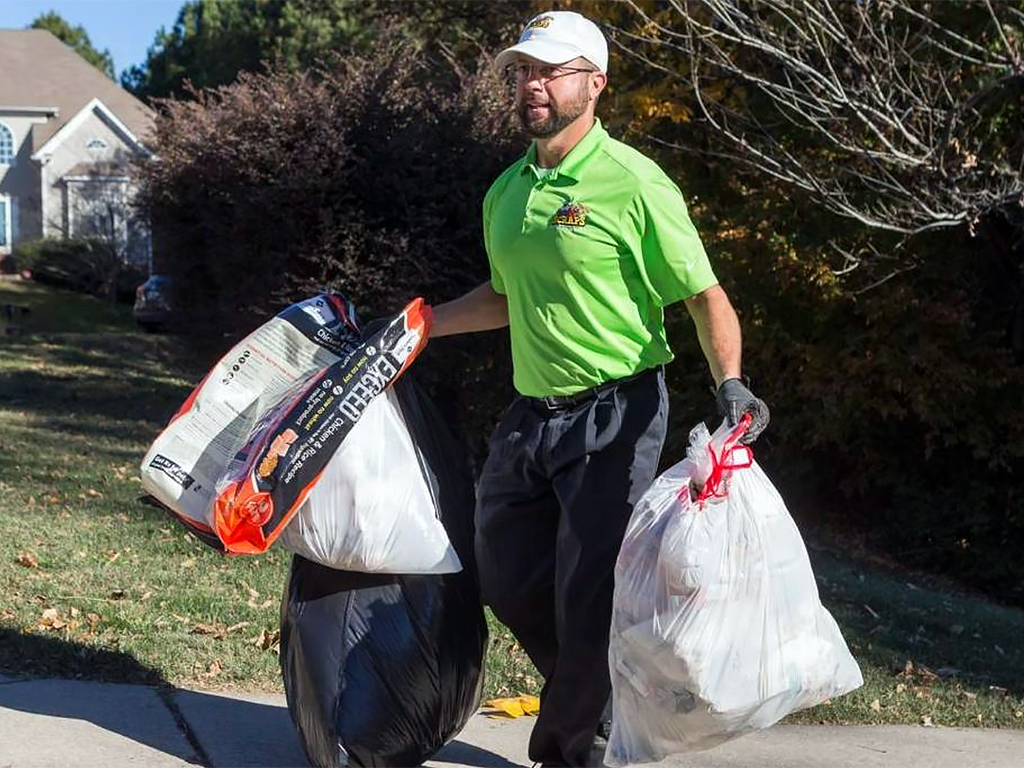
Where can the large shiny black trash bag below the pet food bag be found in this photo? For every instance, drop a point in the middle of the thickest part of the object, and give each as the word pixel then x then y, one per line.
pixel 385 670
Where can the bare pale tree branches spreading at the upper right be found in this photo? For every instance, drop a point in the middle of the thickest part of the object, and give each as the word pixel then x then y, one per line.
pixel 900 115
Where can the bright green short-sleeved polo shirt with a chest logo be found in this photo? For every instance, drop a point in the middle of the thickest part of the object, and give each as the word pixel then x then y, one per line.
pixel 589 255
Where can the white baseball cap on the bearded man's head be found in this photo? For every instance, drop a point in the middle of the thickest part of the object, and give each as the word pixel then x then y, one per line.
pixel 558 37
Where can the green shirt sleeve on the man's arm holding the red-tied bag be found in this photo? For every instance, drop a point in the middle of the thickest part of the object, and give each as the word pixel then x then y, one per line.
pixel 671 257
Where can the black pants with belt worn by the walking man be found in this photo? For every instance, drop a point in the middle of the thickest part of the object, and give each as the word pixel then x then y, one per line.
pixel 553 503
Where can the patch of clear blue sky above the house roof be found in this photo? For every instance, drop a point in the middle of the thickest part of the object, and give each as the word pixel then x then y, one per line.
pixel 125 27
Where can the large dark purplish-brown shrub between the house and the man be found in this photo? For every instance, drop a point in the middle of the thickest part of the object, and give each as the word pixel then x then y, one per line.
pixel 366 178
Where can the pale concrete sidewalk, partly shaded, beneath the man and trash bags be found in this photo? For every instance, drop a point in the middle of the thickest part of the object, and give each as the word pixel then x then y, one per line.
pixel 73 724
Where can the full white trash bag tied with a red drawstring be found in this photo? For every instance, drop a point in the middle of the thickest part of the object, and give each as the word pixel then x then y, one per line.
pixel 717 628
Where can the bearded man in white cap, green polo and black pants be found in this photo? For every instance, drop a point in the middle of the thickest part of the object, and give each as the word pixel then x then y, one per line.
pixel 588 241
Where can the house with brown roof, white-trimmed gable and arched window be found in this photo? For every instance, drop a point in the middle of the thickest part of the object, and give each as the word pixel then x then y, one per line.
pixel 67 136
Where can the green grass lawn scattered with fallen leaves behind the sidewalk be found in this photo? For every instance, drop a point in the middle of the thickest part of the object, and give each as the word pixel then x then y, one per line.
pixel 94 584
